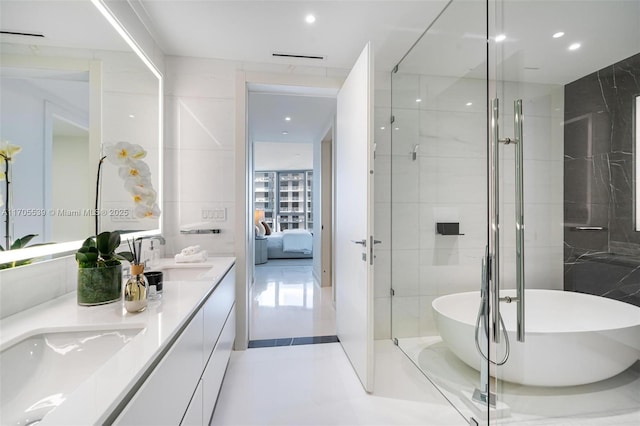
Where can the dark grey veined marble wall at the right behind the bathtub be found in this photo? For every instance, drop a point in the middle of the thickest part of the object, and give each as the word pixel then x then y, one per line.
pixel 599 183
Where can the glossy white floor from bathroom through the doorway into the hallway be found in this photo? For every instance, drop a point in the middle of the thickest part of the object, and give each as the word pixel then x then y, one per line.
pixel 315 384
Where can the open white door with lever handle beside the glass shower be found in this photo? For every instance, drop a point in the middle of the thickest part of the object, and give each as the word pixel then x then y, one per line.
pixel 354 217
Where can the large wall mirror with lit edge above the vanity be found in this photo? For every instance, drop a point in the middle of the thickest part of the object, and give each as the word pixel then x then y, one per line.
pixel 70 87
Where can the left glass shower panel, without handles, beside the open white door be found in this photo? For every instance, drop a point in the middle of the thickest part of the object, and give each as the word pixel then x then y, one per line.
pixel 439 197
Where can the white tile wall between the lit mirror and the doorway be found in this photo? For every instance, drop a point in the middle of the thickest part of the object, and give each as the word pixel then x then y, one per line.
pixel 199 151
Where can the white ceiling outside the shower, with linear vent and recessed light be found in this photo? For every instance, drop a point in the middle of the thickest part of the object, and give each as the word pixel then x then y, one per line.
pixel 249 30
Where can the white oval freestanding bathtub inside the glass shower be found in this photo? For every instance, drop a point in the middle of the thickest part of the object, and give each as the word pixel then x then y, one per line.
pixel 571 338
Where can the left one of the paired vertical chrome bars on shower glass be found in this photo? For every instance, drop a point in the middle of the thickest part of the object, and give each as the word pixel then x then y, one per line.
pixel 494 221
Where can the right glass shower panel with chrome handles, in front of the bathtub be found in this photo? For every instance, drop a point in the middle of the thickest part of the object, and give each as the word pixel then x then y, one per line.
pixel 574 65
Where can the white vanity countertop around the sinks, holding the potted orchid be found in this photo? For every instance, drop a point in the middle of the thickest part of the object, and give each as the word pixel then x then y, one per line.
pixel 98 396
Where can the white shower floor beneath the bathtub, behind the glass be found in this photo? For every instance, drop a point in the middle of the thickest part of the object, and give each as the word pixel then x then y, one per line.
pixel 615 401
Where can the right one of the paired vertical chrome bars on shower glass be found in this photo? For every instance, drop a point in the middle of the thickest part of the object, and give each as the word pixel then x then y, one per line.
pixel 518 129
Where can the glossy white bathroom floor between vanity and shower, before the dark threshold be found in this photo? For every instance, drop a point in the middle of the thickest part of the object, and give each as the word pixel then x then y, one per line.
pixel 316 385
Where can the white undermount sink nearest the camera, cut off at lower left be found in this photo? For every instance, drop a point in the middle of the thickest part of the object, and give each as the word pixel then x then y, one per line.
pixel 39 372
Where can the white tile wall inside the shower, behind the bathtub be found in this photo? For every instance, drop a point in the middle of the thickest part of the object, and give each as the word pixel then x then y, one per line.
pixel 448 184
